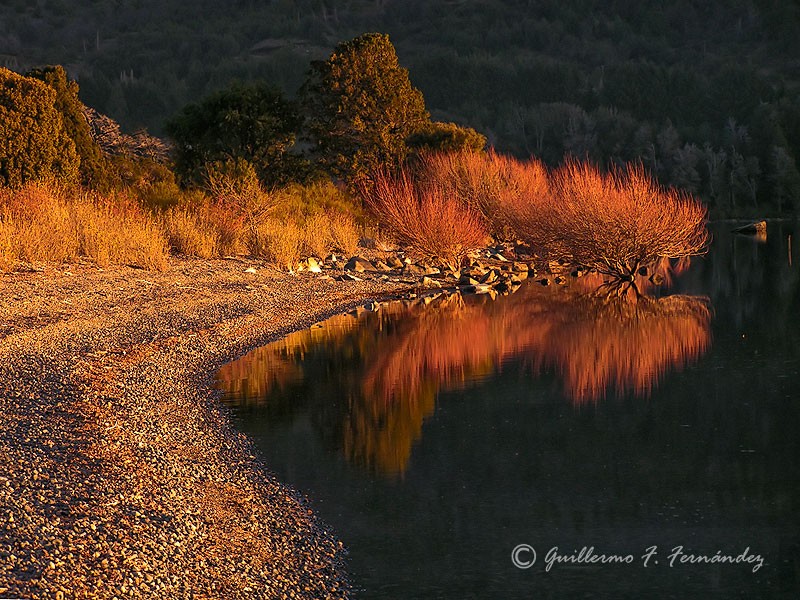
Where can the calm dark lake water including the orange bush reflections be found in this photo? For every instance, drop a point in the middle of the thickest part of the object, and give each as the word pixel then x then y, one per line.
pixel 436 439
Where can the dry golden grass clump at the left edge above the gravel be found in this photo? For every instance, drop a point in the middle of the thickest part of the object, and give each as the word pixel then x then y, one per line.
pixel 49 223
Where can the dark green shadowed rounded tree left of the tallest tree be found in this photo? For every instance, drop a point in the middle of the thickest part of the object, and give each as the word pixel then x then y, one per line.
pixel 252 122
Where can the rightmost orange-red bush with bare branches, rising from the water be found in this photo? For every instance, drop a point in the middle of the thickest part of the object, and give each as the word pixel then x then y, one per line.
pixel 616 222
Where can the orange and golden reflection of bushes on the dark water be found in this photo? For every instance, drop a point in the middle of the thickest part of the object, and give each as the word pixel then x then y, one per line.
pixel 369 380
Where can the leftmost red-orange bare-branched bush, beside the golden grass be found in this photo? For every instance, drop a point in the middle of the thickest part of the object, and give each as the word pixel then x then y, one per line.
pixel 424 217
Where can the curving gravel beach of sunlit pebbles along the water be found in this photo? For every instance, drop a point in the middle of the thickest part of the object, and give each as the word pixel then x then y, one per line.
pixel 120 473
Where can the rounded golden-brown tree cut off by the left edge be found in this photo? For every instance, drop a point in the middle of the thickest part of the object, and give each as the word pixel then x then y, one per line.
pixel 33 141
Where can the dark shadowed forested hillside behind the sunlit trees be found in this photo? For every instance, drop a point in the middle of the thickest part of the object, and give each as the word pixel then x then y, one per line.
pixel 705 94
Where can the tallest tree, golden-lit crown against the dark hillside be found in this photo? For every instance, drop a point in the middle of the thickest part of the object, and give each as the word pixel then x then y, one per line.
pixel 361 108
